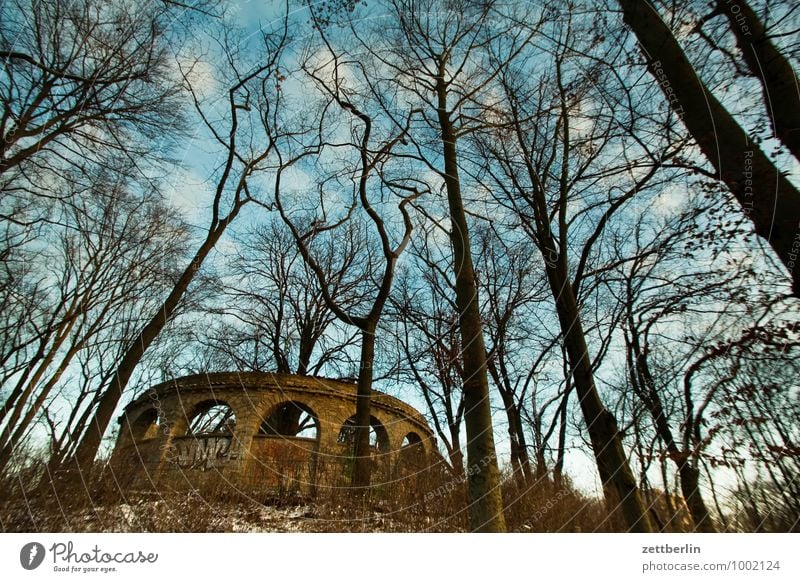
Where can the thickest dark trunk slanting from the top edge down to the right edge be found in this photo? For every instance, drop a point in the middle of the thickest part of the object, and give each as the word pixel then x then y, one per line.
pixel 765 194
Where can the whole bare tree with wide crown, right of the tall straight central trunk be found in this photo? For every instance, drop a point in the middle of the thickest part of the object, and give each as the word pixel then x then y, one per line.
pixel 565 163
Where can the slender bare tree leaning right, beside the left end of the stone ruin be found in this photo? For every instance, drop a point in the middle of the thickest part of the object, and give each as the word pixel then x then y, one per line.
pixel 242 159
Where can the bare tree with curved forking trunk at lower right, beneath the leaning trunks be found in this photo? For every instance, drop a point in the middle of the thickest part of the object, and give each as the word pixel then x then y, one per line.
pixel 716 306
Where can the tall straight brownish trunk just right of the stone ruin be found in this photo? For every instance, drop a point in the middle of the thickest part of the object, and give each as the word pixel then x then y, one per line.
pixel 485 498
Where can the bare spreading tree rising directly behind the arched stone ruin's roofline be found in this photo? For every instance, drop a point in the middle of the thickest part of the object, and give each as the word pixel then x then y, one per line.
pixel 273 311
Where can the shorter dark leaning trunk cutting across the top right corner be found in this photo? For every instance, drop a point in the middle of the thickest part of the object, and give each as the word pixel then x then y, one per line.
pixel 771 68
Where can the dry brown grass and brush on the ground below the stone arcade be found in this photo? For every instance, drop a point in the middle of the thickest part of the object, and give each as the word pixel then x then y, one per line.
pixel 429 500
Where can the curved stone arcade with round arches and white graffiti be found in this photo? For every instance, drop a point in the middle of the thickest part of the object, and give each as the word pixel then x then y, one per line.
pixel 263 431
